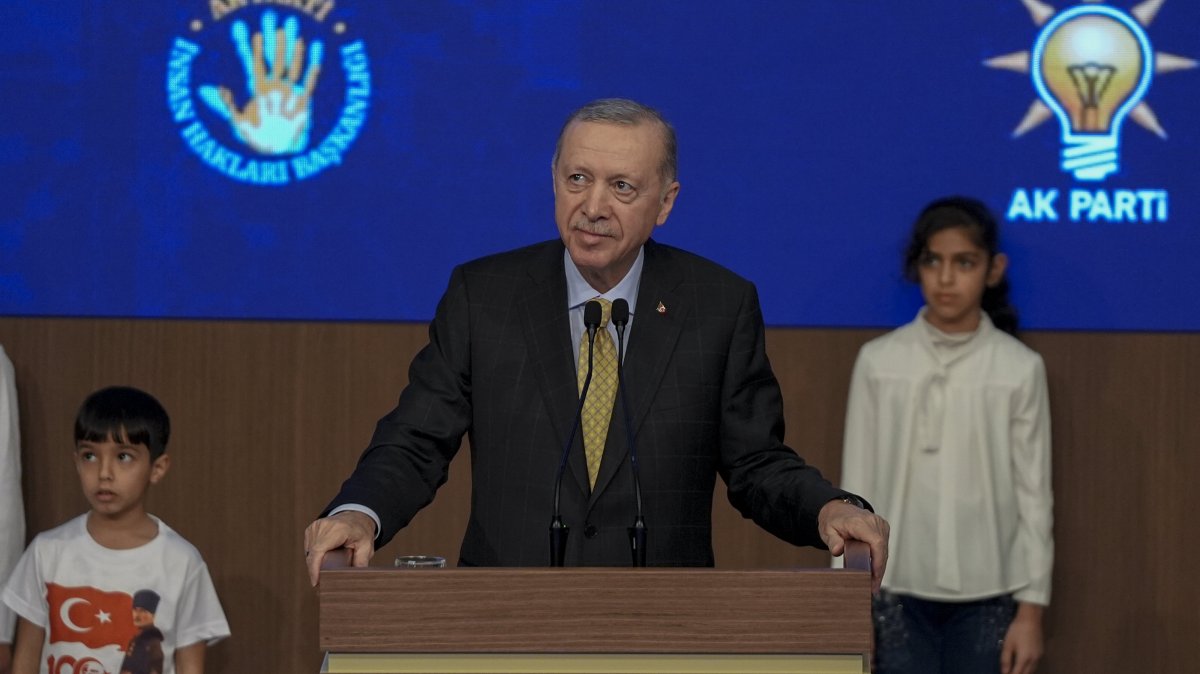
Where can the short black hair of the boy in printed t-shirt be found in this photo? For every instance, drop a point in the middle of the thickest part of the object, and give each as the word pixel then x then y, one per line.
pixel 124 414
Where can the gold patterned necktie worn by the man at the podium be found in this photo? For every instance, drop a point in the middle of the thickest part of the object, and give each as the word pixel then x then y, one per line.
pixel 602 393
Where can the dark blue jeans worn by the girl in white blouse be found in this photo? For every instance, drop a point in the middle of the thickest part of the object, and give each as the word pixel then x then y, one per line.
pixel 916 636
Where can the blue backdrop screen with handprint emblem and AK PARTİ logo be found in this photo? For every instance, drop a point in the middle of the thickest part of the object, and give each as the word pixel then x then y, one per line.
pixel 321 160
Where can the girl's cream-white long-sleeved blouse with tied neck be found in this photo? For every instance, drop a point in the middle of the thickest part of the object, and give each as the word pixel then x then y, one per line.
pixel 949 438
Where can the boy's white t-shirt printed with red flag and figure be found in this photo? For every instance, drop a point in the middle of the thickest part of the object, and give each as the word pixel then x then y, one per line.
pixel 82 594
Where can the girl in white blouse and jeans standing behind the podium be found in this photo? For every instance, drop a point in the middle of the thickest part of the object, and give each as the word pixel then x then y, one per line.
pixel 949 436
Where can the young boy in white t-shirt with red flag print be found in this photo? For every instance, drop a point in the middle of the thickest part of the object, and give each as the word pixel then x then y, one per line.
pixel 111 583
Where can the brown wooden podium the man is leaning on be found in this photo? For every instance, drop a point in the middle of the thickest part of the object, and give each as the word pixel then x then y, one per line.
pixel 597 621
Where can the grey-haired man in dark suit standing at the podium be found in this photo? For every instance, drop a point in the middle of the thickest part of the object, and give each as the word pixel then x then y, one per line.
pixel 502 368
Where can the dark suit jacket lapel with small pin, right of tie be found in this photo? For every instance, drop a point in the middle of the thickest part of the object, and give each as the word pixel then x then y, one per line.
pixel 653 338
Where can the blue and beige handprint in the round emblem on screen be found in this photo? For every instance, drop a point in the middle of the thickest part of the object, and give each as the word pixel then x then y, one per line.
pixel 279 115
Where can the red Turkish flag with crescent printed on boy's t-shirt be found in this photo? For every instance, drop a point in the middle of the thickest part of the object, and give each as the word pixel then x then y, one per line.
pixel 91 617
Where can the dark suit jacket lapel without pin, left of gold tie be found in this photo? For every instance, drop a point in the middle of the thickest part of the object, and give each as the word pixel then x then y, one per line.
pixel 549 335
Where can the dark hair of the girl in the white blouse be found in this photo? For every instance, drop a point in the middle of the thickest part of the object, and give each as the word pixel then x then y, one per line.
pixel 975 218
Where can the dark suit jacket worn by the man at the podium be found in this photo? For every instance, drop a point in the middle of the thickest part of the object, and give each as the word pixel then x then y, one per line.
pixel 500 368
